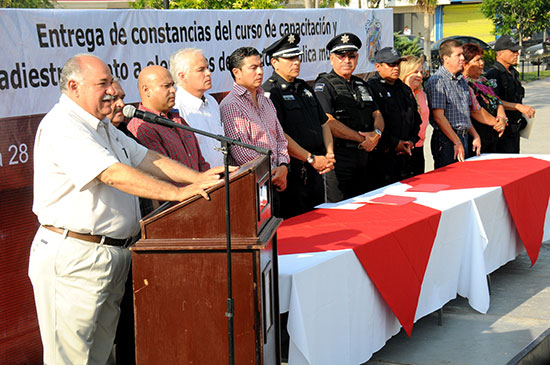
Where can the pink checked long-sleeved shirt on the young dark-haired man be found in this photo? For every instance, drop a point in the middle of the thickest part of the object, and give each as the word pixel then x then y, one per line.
pixel 257 126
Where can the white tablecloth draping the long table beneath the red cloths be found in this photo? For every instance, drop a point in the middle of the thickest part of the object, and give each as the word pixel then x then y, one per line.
pixel 336 314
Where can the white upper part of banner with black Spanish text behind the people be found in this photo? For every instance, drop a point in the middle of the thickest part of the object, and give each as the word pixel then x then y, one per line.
pixel 38 42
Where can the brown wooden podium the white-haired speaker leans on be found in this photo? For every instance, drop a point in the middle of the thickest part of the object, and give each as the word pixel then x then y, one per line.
pixel 180 276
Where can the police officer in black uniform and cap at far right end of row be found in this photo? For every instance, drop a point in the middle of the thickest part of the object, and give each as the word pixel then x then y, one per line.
pixel 509 90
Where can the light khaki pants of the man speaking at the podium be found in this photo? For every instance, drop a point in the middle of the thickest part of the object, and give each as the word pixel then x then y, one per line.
pixel 78 287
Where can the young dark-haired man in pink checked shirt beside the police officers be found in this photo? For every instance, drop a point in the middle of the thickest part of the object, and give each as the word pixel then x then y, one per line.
pixel 251 117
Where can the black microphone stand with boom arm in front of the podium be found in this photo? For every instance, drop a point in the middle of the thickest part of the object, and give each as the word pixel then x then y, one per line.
pixel 226 143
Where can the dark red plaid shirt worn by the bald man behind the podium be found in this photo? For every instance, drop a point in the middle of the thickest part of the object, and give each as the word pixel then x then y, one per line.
pixel 178 144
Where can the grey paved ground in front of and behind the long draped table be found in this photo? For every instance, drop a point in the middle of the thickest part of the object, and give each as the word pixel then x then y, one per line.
pixel 520 297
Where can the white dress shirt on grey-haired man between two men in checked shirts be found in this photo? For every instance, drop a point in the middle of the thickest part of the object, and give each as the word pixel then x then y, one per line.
pixel 203 114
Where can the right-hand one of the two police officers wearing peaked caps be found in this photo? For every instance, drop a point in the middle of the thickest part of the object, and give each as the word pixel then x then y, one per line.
pixel 353 116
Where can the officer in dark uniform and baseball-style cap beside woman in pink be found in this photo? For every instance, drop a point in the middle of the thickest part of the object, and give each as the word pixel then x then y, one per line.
pixel 391 160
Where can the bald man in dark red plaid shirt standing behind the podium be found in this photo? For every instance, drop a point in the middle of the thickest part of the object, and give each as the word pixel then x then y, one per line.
pixel 158 95
